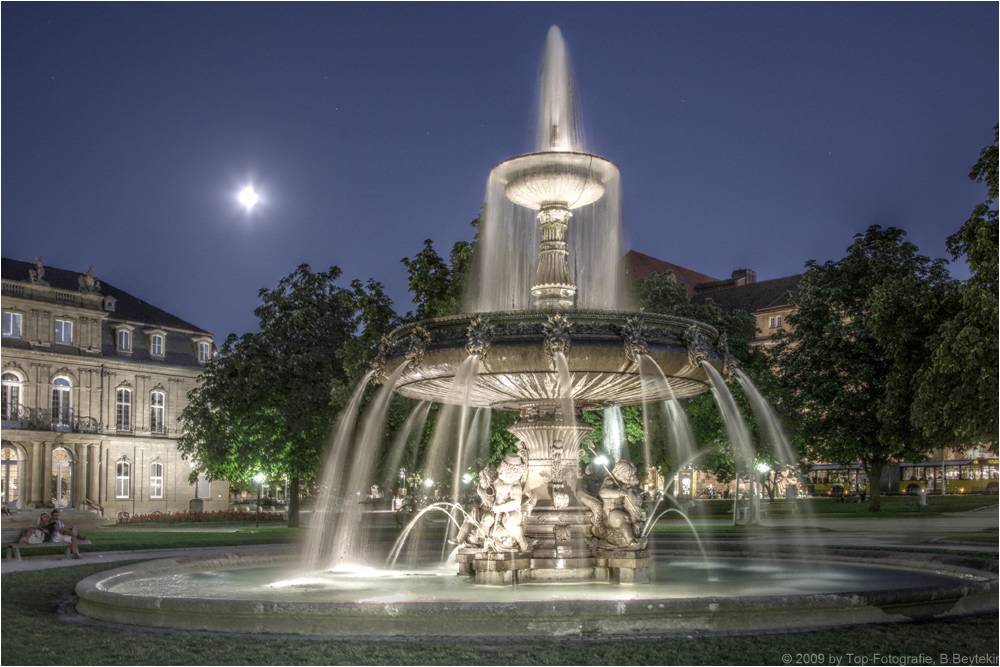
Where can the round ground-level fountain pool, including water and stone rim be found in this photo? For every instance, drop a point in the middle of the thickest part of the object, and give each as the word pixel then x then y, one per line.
pixel 265 594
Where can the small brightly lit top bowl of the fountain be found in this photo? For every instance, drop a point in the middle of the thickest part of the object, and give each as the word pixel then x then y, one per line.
pixel 565 179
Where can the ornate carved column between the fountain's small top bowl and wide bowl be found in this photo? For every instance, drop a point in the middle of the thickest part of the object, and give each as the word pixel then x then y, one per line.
pixel 553 289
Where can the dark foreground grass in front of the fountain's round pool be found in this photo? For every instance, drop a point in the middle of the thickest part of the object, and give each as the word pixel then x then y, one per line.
pixel 30 601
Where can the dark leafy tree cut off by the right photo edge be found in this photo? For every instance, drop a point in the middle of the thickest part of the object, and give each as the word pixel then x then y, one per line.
pixel 957 390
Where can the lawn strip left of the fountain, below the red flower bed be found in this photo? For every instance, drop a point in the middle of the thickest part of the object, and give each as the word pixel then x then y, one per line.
pixel 150 536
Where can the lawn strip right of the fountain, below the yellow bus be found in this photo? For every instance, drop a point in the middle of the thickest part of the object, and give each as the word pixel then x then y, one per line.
pixel 892 507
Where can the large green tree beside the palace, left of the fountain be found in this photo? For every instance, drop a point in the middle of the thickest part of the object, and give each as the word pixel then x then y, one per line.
pixel 268 402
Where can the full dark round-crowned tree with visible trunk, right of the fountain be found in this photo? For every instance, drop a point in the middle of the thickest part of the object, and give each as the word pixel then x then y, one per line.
pixel 859 337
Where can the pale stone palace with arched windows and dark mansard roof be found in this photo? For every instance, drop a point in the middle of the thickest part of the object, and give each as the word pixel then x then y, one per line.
pixel 94 381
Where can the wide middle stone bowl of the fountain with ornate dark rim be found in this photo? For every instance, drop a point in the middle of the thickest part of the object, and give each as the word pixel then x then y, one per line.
pixel 516 372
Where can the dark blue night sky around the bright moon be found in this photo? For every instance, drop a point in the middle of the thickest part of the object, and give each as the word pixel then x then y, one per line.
pixel 747 135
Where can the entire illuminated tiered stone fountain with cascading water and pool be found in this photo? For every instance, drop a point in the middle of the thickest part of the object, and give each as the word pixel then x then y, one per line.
pixel 548 334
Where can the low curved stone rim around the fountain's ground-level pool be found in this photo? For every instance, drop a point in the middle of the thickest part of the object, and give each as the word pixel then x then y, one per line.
pixel 975 590
